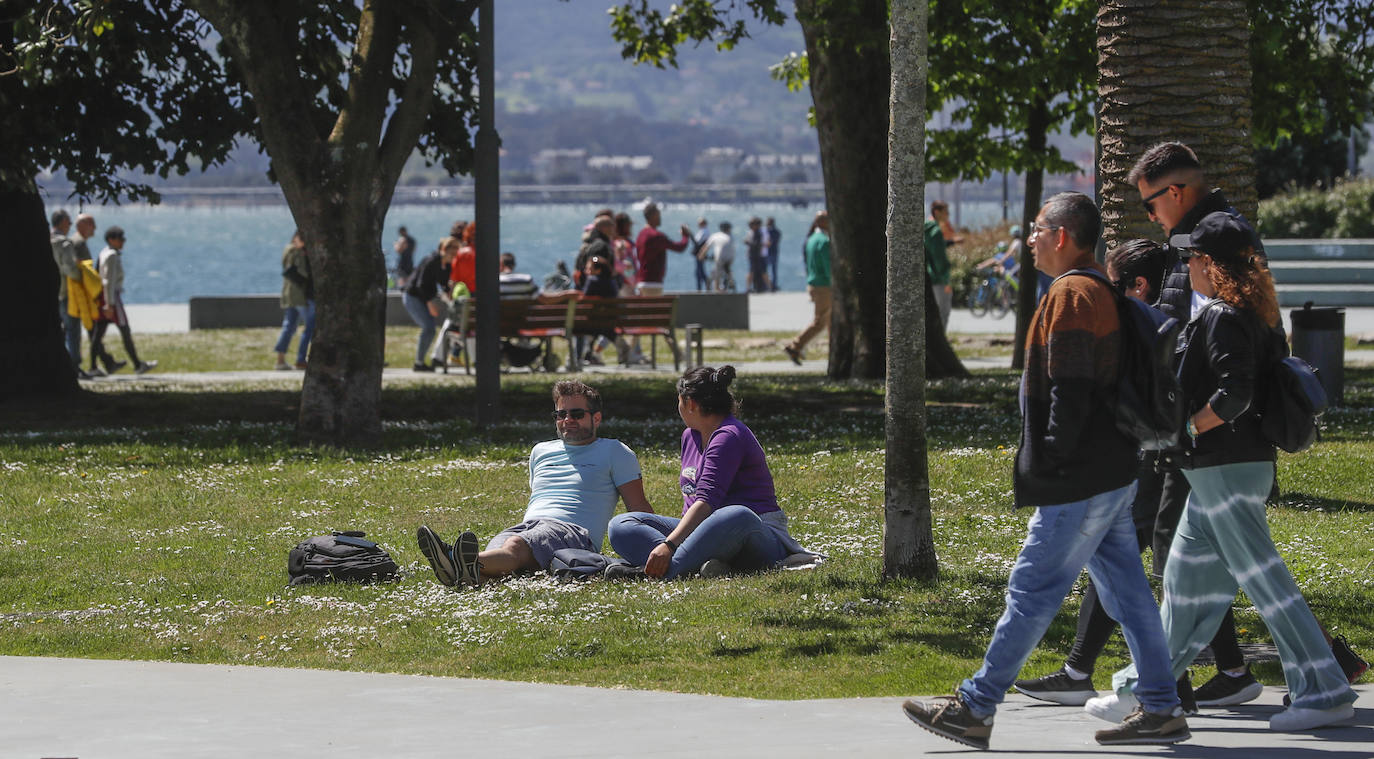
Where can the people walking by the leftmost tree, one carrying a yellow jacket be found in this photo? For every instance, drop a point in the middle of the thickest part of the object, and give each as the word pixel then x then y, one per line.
pixel 91 295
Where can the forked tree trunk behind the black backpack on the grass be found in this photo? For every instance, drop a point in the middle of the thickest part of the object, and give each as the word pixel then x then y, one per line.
pixel 339 186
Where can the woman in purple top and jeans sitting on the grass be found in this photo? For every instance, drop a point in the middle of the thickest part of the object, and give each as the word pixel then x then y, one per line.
pixel 732 520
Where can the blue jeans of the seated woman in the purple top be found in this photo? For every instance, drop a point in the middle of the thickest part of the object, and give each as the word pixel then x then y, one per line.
pixel 732 534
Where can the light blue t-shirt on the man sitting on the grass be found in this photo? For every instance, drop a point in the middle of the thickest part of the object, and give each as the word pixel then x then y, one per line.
pixel 578 483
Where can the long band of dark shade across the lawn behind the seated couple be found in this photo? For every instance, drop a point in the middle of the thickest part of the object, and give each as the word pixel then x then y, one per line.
pixel 792 413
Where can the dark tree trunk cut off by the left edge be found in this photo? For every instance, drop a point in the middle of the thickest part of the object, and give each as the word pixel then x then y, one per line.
pixel 31 331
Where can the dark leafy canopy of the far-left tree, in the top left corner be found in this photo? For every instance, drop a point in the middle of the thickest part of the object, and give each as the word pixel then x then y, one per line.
pixel 94 90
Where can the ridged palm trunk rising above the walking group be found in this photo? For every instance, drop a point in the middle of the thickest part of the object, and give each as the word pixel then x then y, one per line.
pixel 1175 71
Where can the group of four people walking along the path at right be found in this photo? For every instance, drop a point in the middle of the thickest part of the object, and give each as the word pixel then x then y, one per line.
pixel 1200 507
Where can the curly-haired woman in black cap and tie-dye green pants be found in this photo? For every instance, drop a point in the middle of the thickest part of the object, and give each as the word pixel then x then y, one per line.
pixel 1224 538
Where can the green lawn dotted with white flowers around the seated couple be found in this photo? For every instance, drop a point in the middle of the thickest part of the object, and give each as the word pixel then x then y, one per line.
pixel 157 525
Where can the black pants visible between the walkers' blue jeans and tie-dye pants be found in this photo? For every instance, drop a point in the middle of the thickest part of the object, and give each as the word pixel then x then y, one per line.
pixel 1160 498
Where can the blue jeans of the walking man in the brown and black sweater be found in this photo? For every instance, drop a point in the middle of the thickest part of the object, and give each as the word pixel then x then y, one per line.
pixel 1097 533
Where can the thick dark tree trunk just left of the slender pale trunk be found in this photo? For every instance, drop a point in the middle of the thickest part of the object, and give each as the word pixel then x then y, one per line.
pixel 851 72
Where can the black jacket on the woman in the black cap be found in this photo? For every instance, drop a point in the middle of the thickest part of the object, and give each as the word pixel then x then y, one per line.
pixel 1225 358
